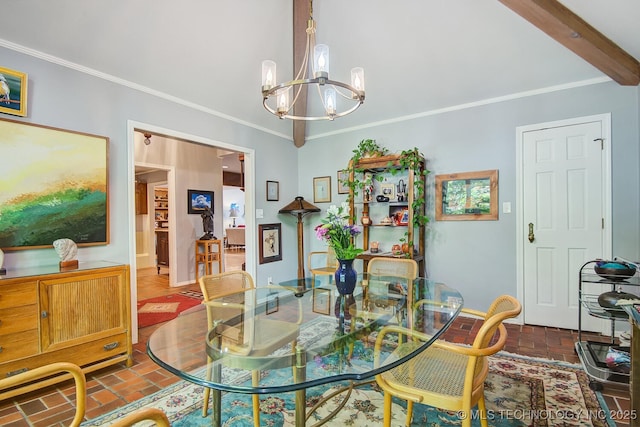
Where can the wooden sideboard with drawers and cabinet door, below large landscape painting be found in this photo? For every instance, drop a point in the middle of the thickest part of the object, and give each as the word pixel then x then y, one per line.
pixel 82 316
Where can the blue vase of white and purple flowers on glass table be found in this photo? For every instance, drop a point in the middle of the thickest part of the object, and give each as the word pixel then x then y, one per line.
pixel 338 233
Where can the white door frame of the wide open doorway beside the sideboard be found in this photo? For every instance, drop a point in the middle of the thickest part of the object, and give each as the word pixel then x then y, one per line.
pixel 250 217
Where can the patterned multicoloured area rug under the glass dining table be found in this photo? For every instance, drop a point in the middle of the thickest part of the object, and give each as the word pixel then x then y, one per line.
pixel 519 391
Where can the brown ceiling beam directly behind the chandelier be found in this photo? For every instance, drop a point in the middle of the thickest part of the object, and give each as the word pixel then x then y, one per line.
pixel 301 13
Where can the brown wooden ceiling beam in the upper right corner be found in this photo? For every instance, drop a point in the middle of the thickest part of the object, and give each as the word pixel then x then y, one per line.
pixel 574 33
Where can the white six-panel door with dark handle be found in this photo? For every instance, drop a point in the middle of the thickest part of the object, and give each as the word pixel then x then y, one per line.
pixel 563 219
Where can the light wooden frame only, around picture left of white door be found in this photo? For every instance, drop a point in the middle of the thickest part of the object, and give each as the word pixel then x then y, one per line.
pixel 443 180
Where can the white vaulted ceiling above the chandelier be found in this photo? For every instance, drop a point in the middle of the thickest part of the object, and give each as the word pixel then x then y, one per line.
pixel 419 56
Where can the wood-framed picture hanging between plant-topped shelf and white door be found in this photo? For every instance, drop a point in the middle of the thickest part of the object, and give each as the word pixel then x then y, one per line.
pixel 468 196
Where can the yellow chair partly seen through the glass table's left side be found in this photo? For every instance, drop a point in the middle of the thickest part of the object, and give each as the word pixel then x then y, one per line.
pixel 260 339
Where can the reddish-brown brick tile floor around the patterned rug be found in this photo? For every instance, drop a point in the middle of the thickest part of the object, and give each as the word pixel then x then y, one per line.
pixel 116 386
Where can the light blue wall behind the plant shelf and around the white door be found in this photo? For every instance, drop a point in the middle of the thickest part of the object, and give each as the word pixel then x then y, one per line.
pixel 479 258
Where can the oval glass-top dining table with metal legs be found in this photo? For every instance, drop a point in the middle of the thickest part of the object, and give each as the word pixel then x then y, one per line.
pixel 298 337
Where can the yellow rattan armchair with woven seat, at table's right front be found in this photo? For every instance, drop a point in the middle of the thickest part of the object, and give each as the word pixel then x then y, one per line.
pixel 445 375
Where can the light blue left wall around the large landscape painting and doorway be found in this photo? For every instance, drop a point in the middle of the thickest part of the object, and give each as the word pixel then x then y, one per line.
pixel 64 98
